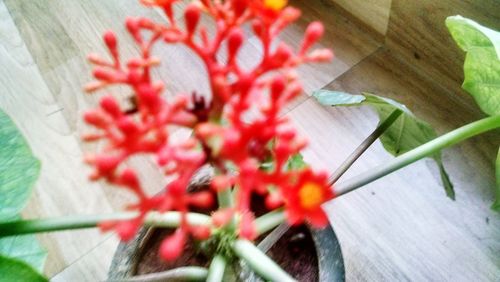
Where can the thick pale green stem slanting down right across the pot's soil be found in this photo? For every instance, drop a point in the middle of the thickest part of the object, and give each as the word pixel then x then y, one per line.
pixel 259 262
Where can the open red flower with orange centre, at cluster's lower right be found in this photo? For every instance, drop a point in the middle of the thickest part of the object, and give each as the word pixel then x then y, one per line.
pixel 304 199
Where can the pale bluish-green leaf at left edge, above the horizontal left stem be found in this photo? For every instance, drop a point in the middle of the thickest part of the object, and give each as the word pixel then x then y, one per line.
pixel 18 169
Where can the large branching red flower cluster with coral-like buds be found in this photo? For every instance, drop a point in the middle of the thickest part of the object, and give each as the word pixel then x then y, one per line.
pixel 224 135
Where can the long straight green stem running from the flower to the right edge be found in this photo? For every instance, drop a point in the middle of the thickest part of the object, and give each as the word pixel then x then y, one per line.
pixel 418 153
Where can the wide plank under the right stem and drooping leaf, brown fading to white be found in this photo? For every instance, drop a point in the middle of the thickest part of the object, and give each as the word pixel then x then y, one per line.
pixel 402 227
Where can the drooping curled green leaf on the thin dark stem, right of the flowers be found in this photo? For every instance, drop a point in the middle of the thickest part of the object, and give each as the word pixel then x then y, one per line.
pixel 405 134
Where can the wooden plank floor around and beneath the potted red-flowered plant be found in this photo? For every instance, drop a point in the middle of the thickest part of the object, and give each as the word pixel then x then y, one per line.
pixel 399 228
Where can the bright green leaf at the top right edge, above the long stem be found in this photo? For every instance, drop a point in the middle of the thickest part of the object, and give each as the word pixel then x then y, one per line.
pixel 482 62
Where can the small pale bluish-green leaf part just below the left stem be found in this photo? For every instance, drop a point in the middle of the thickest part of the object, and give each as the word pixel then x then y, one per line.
pixel 24 248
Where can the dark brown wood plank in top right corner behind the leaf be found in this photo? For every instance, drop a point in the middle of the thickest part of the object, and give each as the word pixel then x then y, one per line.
pixel 417 33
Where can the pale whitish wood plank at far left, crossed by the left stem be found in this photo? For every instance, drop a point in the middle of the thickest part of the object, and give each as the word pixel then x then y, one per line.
pixel 27 99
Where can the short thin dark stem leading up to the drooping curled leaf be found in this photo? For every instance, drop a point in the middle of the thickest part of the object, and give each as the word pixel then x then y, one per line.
pixel 381 128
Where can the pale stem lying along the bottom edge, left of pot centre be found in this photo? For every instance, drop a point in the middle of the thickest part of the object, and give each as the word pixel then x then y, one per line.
pixel 188 273
